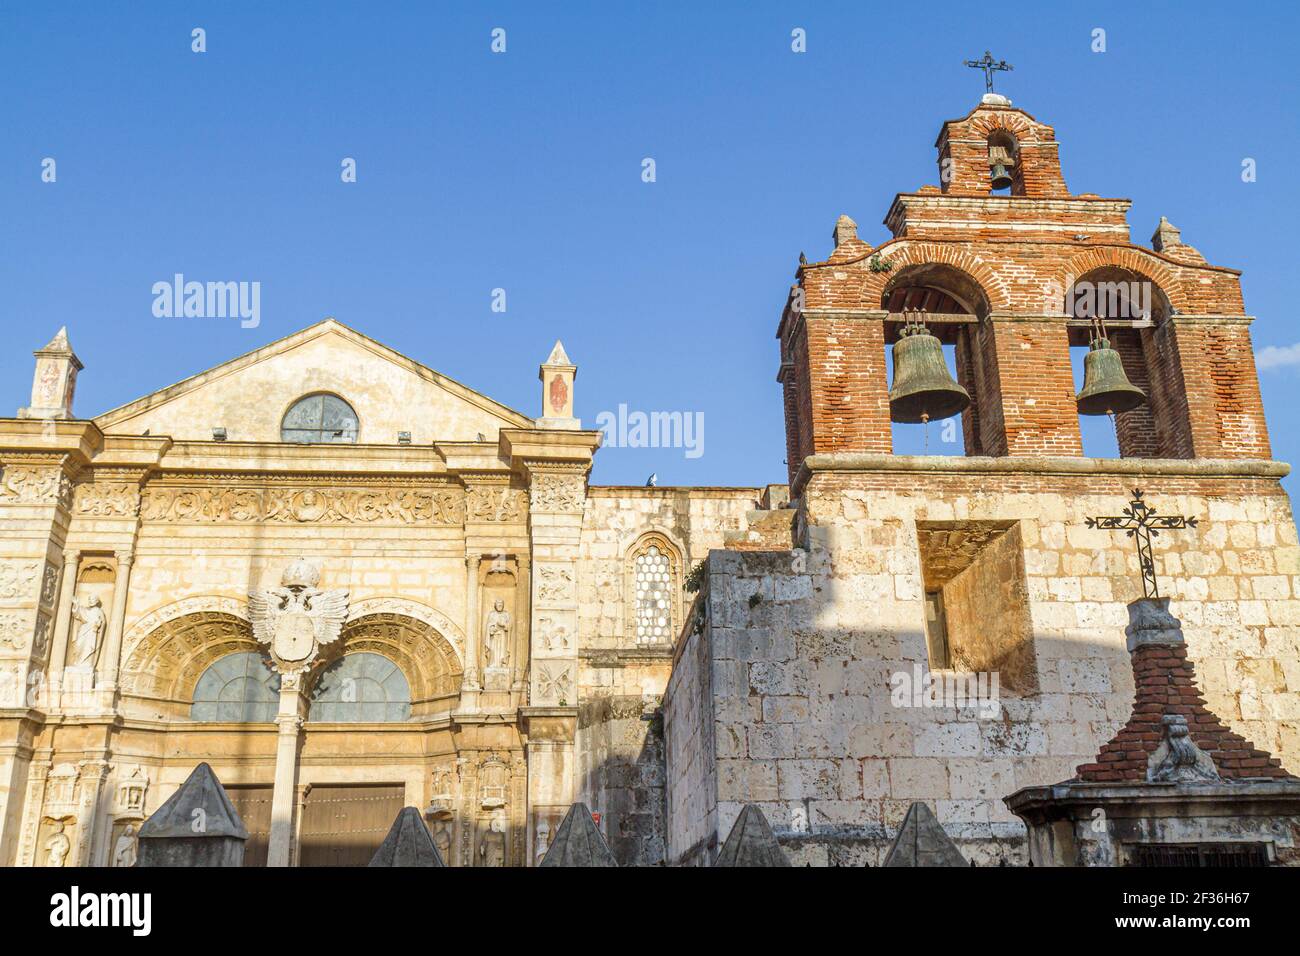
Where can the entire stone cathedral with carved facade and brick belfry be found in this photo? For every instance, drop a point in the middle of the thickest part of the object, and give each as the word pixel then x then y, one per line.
pixel 352 585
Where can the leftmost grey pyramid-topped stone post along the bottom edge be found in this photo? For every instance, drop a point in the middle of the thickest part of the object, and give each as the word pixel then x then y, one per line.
pixel 197 827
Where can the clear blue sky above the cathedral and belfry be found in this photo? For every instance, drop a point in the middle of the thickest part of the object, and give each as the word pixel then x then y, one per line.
pixel 523 171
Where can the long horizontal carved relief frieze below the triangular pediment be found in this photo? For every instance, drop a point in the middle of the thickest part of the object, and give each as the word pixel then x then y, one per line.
pixel 305 505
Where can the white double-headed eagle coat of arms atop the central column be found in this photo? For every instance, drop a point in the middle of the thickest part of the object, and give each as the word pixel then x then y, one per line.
pixel 297 618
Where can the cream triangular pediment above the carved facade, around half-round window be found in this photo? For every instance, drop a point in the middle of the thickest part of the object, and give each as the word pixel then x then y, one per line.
pixel 250 395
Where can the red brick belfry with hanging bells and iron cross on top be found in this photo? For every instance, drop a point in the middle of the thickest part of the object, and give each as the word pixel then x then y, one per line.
pixel 1007 269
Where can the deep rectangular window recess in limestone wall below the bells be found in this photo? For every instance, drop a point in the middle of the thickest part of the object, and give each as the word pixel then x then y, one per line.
pixel 978 602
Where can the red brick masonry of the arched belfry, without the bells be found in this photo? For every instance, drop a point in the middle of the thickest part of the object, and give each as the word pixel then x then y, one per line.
pixel 1024 254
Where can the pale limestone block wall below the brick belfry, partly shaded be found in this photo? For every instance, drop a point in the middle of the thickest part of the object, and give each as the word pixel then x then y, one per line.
pixel 804 655
